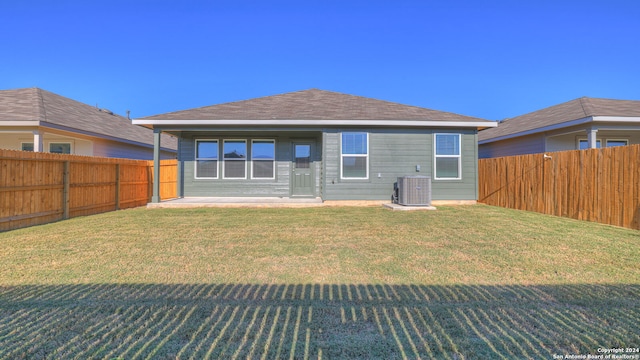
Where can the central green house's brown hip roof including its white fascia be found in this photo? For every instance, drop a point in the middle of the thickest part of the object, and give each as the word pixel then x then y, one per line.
pixel 311 107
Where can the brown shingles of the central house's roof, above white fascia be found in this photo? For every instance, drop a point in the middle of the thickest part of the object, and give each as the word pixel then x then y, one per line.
pixel 313 104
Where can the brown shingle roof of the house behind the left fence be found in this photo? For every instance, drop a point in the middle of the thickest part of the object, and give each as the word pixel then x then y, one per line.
pixel 37 107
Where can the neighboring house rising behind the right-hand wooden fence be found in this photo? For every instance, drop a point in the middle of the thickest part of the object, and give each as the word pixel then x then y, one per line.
pixel 578 124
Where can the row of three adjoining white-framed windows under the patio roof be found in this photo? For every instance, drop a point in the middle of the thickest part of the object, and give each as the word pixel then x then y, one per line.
pixel 234 159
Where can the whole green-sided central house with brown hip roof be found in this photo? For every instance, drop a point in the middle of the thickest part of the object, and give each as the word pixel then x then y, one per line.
pixel 317 143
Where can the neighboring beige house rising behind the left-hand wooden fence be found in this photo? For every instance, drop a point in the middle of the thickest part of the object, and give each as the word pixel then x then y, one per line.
pixel 37 120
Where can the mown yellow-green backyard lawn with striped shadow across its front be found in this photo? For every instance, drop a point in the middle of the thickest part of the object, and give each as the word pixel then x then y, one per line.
pixel 457 283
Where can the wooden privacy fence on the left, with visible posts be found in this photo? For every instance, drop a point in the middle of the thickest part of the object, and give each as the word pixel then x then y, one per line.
pixel 37 188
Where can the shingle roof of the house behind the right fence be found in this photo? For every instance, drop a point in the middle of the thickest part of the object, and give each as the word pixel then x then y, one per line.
pixel 574 112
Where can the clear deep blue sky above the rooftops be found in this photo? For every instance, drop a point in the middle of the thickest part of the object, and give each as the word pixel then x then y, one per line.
pixel 490 59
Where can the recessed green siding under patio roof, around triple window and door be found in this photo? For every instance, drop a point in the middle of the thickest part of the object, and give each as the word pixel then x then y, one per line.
pixel 278 187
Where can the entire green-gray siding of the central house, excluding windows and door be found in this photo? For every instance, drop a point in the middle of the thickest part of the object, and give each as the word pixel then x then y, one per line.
pixel 392 153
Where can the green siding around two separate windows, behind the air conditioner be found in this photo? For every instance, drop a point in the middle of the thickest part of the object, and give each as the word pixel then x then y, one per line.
pixel 394 153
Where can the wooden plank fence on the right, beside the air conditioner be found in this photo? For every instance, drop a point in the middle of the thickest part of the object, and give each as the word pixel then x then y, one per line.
pixel 601 185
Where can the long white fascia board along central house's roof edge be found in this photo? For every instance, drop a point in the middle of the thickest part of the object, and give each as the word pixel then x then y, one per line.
pixel 305 123
